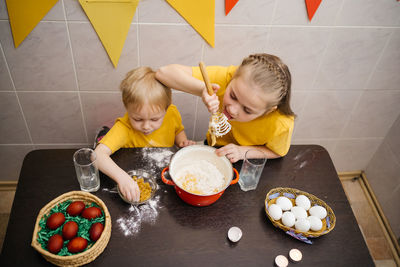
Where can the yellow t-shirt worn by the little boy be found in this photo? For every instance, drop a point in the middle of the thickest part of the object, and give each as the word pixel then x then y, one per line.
pixel 122 135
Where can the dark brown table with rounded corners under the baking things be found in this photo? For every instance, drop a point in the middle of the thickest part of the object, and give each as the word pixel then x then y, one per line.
pixel 182 235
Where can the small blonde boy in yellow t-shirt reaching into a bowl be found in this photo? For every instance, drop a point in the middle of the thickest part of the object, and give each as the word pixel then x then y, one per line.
pixel 150 121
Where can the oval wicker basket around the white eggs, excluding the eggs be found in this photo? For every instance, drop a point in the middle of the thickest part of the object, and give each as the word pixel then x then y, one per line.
pixel 327 224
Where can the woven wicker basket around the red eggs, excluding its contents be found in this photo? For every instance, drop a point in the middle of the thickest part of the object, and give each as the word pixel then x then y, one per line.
pixel 90 254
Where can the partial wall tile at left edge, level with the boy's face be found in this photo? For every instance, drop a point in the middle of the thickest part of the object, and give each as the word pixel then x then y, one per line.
pixel 13 128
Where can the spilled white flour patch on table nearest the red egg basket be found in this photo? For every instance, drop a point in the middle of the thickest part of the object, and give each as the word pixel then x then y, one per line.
pixel 131 223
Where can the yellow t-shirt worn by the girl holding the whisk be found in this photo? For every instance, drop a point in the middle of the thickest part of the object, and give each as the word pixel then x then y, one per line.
pixel 273 130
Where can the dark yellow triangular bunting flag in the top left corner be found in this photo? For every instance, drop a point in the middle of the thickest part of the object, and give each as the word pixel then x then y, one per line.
pixel 24 15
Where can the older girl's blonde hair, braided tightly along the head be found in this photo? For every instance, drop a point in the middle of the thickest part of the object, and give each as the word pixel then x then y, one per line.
pixel 270 74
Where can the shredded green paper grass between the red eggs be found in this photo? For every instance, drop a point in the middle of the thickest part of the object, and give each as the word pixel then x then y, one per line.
pixel 83 227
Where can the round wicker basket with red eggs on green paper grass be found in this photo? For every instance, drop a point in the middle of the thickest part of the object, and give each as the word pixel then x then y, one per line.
pixel 73 229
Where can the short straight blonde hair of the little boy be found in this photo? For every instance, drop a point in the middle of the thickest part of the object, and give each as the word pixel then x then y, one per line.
pixel 140 87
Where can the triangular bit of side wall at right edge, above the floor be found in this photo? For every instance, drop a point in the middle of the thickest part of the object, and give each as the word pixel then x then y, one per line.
pixel 383 173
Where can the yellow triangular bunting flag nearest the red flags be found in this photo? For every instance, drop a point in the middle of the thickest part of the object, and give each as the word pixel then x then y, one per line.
pixel 199 14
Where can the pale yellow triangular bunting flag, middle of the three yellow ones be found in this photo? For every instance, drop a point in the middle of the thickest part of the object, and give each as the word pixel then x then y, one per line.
pixel 111 20
